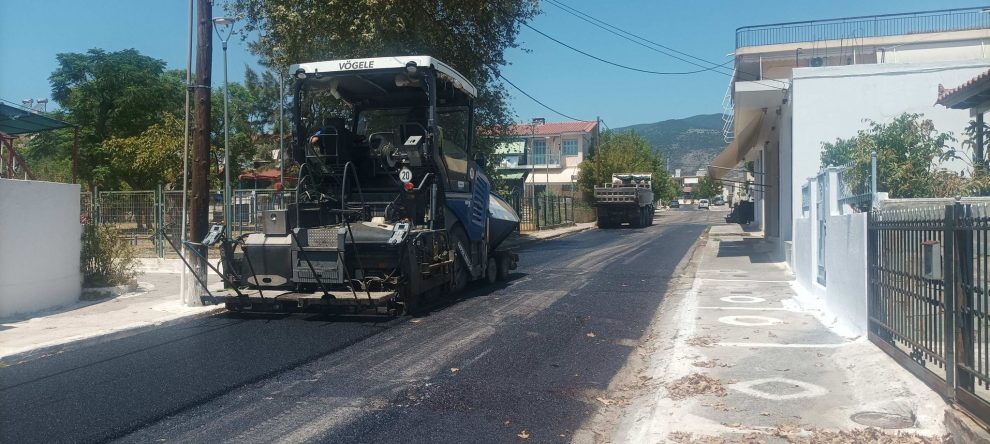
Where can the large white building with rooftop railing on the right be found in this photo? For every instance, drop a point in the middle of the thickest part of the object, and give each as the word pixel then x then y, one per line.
pixel 797 85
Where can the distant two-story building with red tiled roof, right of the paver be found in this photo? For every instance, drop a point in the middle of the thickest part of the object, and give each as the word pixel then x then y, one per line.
pixel 543 156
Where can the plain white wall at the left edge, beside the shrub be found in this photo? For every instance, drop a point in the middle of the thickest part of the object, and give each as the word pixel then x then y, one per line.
pixel 39 246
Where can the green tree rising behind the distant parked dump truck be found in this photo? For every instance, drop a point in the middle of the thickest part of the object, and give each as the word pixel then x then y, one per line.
pixel 625 153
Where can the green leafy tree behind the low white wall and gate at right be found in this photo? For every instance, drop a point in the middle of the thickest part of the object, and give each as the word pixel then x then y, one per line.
pixel 909 153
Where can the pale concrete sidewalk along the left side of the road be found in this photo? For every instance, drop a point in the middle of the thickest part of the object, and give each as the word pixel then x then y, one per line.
pixel 155 303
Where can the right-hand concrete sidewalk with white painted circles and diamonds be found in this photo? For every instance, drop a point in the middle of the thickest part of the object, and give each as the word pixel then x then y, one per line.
pixel 733 357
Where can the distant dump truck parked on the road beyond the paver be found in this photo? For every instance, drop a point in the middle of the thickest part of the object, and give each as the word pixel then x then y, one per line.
pixel 627 199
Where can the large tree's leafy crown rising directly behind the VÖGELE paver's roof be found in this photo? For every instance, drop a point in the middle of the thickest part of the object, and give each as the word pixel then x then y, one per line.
pixel 469 35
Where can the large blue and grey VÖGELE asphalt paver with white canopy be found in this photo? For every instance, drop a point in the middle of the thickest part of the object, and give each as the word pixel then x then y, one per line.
pixel 391 207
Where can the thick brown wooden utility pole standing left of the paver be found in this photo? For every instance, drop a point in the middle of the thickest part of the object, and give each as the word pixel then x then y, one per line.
pixel 199 208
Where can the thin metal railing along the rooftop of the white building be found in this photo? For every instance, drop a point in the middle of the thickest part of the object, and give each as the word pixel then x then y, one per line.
pixel 945 20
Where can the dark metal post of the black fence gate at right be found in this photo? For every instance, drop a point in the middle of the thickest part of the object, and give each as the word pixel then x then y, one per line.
pixel 949 291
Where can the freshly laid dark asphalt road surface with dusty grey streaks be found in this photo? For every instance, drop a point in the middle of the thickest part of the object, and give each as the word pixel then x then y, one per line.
pixel 531 354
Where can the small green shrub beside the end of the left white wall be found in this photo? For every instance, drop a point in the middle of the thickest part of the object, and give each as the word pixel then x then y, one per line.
pixel 107 259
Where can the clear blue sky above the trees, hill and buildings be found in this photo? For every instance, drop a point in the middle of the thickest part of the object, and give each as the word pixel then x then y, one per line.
pixel 33 31
